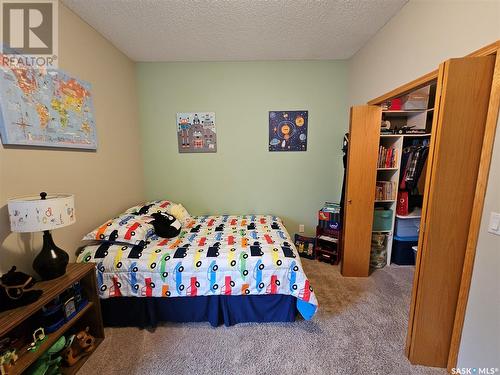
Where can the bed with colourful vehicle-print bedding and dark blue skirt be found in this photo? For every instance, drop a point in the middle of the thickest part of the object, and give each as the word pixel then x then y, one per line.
pixel 221 269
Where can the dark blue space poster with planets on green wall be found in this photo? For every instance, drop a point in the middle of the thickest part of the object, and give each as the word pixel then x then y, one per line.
pixel 288 130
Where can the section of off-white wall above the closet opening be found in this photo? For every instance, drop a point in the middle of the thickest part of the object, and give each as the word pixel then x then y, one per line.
pixel 417 39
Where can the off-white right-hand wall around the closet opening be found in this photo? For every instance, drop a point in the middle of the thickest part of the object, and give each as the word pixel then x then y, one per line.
pixel 412 43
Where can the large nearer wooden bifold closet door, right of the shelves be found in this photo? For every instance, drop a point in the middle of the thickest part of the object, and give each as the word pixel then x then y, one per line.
pixel 463 91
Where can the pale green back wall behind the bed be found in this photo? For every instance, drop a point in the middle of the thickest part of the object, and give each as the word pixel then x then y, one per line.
pixel 243 177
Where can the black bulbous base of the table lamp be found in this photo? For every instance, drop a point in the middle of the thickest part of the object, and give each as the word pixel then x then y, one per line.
pixel 51 262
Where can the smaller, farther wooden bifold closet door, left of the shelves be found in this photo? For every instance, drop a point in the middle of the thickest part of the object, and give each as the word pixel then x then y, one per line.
pixel 362 154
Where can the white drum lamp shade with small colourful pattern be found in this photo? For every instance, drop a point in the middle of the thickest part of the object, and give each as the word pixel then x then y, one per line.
pixel 32 214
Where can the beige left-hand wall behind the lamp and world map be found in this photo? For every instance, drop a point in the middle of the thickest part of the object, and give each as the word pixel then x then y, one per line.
pixel 93 177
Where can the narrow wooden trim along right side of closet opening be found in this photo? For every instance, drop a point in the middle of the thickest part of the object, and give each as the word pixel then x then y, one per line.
pixel 477 212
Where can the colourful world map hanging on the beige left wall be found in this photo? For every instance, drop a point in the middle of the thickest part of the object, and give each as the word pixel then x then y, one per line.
pixel 45 108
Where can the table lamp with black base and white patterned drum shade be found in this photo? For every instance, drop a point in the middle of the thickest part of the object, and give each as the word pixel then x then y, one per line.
pixel 44 213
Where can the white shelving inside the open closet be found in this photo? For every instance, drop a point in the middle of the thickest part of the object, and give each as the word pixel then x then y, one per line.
pixel 420 120
